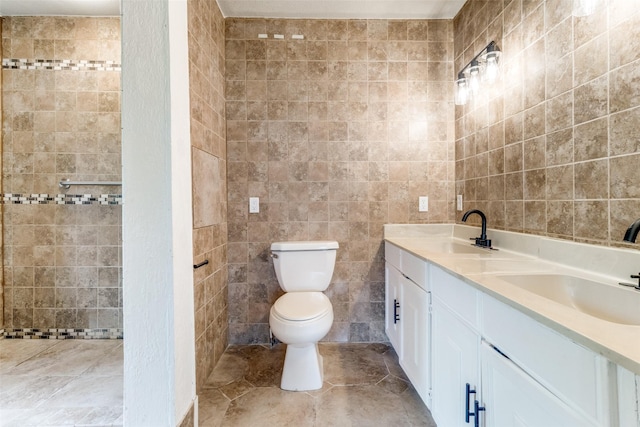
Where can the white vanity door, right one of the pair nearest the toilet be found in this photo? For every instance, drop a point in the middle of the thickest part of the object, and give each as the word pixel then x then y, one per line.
pixel 414 321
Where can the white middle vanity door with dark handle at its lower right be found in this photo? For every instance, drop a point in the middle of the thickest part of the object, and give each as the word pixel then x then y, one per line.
pixel 455 349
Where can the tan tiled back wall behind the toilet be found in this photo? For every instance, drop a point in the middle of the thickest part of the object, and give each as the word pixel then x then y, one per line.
pixel 337 134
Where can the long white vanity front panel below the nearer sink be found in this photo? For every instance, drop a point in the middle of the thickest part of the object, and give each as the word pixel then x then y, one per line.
pixel 577 375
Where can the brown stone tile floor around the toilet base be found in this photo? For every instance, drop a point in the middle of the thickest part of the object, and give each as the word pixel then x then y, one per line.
pixel 364 386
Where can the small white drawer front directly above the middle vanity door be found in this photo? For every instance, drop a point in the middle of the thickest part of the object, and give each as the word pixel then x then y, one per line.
pixel 455 294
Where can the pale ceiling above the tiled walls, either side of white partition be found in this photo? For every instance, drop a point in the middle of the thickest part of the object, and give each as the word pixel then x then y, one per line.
pixel 326 9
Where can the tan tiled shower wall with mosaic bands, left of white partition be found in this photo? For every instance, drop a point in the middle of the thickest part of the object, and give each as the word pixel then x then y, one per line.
pixel 61 120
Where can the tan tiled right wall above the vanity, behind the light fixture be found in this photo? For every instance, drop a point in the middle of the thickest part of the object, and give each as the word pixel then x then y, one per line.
pixel 553 149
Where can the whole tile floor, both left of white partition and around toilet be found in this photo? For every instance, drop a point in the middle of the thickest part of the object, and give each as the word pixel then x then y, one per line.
pixel 79 382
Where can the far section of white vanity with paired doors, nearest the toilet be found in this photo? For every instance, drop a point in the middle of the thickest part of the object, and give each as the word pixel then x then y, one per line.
pixel 407 319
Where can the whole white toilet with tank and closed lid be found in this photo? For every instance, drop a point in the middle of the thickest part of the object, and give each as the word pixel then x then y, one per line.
pixel 303 315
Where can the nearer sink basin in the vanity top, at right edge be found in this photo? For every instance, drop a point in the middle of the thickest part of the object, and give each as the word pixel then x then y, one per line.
pixel 607 302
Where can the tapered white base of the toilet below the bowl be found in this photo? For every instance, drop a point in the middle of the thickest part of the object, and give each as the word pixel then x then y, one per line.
pixel 302 370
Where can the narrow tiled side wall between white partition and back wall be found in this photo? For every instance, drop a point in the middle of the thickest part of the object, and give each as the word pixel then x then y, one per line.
pixel 209 173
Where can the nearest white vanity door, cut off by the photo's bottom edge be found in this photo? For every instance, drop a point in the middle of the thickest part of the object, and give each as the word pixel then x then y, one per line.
pixel 513 398
